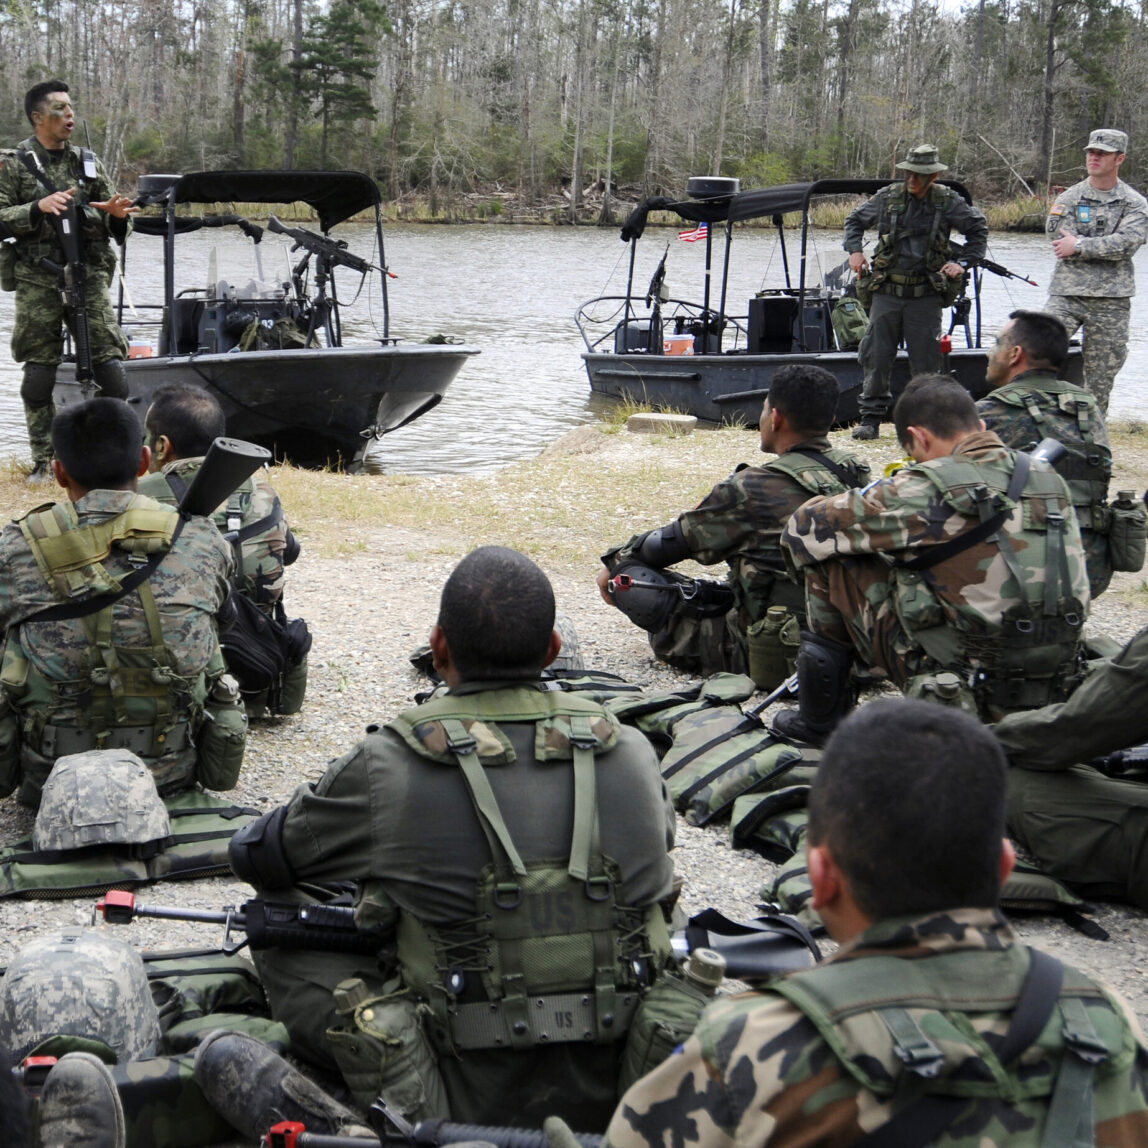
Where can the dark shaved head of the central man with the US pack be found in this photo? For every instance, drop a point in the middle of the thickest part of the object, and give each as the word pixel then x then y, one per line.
pixel 498 615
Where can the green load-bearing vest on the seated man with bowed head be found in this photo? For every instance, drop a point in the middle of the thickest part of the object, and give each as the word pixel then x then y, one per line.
pixel 1031 657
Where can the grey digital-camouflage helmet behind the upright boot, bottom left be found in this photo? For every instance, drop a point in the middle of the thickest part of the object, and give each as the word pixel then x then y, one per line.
pixel 79 983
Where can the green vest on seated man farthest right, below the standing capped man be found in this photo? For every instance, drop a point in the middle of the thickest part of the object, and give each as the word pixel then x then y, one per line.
pixel 1088 466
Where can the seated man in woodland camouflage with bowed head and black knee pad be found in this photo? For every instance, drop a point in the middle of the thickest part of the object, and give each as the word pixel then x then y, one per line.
pixel 969 561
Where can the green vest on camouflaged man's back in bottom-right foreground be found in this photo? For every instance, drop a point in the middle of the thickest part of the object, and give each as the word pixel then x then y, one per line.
pixel 902 1030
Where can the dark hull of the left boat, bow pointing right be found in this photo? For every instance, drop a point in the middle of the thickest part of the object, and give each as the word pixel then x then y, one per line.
pixel 313 407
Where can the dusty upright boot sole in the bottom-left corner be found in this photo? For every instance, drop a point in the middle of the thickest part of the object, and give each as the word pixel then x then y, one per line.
pixel 80 1106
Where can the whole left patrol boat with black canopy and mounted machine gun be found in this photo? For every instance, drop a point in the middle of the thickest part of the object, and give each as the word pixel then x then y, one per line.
pixel 272 348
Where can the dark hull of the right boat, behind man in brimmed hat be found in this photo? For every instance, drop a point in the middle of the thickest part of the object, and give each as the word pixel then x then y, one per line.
pixel 731 389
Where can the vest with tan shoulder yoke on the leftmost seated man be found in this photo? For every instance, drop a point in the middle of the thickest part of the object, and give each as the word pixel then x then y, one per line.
pixel 127 697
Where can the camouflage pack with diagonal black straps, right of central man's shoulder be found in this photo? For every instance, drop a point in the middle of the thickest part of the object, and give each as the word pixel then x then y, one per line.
pixel 720 755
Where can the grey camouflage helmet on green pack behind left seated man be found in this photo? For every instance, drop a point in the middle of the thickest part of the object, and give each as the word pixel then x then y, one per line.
pixel 100 797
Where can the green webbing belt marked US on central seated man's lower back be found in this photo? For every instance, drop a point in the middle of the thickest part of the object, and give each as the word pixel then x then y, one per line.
pixel 555 1020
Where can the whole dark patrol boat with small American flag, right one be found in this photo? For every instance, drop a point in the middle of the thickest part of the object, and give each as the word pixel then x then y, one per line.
pixel 703 358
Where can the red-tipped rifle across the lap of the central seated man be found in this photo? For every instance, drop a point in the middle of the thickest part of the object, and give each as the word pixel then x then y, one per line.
pixel 751 950
